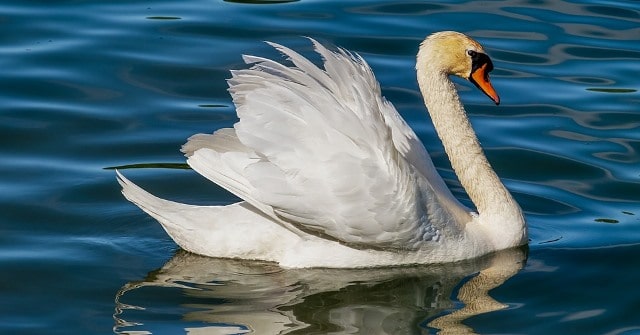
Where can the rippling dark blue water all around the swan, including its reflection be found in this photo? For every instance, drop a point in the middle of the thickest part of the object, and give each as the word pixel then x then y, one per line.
pixel 87 85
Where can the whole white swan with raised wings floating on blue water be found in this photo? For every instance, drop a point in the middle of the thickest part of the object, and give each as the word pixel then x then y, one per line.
pixel 330 175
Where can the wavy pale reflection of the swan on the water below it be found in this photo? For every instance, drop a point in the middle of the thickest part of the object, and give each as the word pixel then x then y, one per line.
pixel 216 296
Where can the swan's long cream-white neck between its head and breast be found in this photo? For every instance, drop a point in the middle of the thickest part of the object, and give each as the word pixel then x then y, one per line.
pixel 491 198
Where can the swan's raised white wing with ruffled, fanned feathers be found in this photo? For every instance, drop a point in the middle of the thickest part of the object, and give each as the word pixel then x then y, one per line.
pixel 322 153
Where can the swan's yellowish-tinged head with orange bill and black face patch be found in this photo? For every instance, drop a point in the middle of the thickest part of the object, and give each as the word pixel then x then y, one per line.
pixel 454 53
